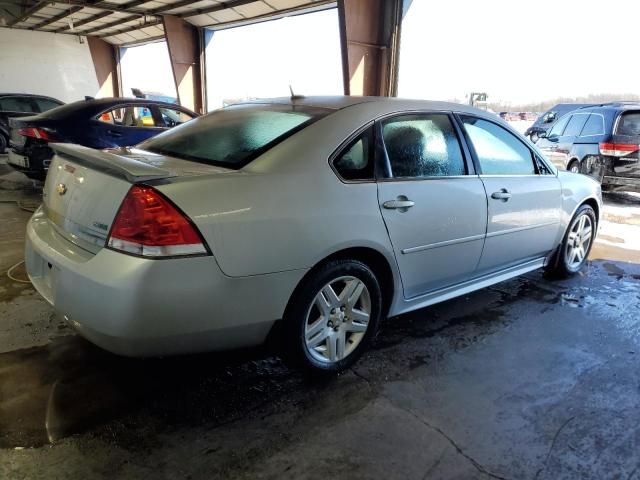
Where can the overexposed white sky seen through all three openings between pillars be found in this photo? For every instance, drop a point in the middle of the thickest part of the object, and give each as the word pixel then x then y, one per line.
pixel 516 51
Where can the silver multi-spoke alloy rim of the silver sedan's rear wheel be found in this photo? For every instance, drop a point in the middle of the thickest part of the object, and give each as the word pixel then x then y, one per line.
pixel 337 319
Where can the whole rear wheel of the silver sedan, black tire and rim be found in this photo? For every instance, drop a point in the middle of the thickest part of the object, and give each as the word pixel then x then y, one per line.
pixel 333 316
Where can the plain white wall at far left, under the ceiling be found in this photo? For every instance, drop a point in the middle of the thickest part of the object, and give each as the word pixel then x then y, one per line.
pixel 46 64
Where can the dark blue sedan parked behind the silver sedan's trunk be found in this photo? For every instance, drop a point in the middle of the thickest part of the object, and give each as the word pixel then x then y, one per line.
pixel 96 123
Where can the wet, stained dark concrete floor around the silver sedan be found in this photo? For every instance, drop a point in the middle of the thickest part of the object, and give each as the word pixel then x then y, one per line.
pixel 529 379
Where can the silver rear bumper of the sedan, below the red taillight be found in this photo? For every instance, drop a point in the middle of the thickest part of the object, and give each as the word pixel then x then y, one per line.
pixel 140 307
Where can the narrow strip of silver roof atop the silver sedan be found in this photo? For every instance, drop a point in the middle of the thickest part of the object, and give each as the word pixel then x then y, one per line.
pixel 375 103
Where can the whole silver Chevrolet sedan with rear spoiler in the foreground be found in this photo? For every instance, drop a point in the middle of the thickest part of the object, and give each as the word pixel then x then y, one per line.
pixel 308 219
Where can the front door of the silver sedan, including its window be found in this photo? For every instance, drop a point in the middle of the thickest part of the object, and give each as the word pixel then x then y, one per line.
pixel 523 195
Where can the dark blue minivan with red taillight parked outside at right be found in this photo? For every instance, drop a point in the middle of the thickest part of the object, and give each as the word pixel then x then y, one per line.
pixel 602 141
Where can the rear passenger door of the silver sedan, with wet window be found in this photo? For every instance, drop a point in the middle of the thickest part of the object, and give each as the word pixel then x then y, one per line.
pixel 433 204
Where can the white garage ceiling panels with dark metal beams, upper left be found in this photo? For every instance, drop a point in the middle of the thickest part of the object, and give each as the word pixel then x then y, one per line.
pixel 124 22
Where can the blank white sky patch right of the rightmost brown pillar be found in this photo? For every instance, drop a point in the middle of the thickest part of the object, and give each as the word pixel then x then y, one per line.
pixel 519 51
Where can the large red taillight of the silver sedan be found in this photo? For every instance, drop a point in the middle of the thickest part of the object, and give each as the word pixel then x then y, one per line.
pixel 148 224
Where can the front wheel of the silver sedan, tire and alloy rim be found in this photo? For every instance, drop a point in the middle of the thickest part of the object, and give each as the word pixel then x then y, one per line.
pixel 576 245
